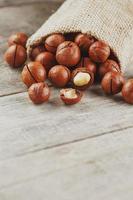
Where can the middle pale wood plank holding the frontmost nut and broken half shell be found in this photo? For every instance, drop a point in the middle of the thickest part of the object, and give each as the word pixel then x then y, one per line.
pixel 25 127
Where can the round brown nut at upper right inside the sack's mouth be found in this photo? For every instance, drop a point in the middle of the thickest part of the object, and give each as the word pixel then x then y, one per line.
pixel 99 51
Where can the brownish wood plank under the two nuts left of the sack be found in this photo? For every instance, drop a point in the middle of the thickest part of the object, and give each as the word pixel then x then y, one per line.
pixel 25 18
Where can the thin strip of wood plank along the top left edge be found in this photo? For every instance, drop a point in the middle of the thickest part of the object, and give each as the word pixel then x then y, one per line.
pixel 7 3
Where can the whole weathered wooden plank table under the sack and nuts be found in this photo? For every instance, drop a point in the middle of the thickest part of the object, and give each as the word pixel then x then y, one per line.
pixel 52 151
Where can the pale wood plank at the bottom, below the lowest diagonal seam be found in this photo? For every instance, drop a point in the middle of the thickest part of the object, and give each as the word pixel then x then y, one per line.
pixel 96 169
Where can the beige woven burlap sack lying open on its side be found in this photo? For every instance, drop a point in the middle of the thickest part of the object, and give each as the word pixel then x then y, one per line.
pixel 109 20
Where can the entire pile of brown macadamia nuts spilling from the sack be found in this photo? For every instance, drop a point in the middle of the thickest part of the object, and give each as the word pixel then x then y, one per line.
pixel 72 62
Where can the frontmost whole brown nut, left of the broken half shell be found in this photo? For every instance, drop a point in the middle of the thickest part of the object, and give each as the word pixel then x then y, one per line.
pixel 39 93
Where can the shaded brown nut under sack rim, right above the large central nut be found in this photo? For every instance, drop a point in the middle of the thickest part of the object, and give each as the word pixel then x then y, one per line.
pixel 84 42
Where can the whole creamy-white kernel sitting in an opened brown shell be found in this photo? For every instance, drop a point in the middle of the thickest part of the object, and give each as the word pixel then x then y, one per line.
pixel 82 79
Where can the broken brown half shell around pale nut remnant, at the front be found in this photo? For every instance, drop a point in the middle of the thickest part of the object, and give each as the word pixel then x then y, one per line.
pixel 69 100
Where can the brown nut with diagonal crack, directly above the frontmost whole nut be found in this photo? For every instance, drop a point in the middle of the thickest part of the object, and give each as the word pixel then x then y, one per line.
pixel 33 72
